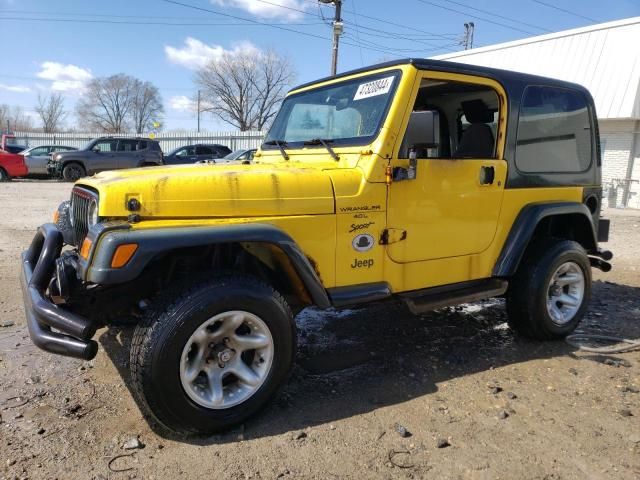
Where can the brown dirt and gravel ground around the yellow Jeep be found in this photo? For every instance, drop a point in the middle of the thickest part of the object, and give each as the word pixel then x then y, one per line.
pixel 507 407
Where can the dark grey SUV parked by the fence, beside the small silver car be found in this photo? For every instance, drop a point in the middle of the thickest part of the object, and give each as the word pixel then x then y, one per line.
pixel 105 153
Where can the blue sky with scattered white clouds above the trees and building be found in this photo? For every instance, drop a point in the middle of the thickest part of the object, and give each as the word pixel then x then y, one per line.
pixel 58 46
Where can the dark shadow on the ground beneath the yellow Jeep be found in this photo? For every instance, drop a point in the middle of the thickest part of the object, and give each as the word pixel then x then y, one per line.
pixel 354 361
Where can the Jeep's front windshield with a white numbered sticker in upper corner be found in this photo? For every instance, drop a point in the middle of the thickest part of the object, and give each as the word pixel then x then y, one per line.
pixel 345 113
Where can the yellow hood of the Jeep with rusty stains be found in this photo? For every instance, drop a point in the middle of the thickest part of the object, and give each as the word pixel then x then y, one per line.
pixel 205 190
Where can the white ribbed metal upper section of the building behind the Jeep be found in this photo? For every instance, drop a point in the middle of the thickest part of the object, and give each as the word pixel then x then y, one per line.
pixel 605 58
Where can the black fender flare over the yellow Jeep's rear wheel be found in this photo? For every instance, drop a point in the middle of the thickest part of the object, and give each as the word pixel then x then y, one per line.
pixel 525 225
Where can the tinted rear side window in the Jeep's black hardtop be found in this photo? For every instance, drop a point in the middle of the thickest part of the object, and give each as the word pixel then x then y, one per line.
pixel 554 131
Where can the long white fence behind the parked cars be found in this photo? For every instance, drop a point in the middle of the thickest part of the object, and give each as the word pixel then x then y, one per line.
pixel 168 141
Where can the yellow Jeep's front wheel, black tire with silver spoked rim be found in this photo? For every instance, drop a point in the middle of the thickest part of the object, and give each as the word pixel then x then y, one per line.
pixel 165 352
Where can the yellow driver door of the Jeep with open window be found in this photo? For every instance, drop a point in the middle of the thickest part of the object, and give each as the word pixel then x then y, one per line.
pixel 451 207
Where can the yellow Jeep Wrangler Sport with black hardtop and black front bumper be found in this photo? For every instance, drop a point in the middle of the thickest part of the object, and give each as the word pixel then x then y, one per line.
pixel 435 182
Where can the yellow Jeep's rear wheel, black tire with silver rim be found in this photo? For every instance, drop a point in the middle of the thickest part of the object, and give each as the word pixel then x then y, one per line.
pixel 553 273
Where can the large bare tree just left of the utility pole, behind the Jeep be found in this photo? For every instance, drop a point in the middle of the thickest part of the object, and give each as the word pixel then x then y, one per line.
pixel 245 89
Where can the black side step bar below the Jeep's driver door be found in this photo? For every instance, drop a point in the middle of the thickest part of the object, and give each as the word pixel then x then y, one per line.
pixel 420 301
